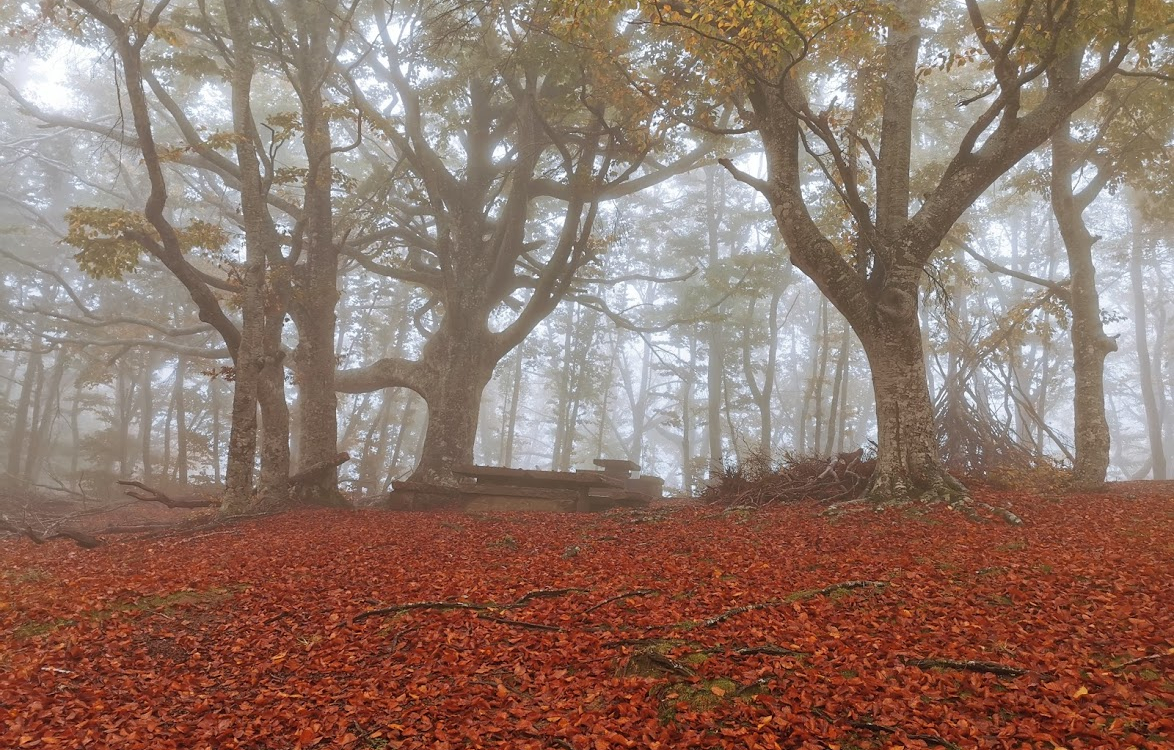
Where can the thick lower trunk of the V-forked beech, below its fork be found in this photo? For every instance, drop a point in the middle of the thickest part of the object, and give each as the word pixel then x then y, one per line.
pixel 908 463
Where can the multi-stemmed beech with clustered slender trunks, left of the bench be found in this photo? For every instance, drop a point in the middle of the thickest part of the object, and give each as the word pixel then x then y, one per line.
pixel 291 260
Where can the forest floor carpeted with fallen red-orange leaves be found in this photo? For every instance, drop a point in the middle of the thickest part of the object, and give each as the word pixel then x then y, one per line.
pixel 676 627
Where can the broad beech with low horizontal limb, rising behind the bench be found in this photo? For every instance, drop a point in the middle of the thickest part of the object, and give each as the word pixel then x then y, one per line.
pixel 507 144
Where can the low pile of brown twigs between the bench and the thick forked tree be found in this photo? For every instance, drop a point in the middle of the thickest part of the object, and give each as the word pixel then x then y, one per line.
pixel 759 482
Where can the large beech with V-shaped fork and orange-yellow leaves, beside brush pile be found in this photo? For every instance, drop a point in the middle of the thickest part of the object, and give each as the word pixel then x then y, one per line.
pixel 784 65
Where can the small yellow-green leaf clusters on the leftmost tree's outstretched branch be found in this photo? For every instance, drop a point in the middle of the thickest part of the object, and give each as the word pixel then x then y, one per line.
pixel 110 241
